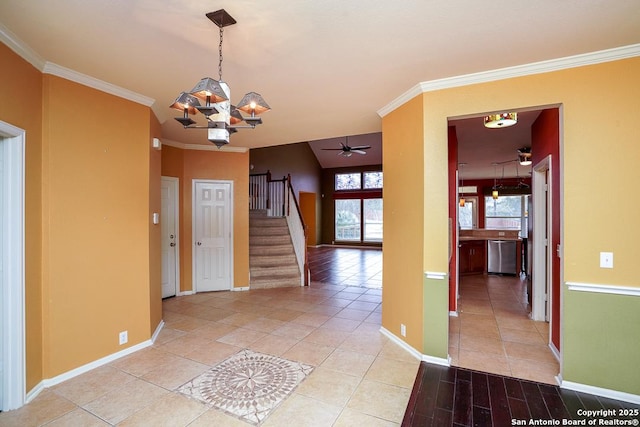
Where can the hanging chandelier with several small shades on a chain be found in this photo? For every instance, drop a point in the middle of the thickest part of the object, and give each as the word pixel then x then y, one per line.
pixel 222 117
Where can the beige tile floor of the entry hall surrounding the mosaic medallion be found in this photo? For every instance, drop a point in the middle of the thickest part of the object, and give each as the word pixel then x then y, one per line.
pixel 360 376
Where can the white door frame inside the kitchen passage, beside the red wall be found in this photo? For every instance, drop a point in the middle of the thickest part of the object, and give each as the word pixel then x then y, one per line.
pixel 542 221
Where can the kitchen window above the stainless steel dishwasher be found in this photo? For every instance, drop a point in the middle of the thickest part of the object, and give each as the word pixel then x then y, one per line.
pixel 506 213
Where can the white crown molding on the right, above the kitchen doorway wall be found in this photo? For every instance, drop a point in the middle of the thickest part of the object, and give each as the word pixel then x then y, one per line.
pixel 574 61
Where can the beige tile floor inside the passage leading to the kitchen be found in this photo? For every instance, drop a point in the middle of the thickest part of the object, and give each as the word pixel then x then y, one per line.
pixel 494 334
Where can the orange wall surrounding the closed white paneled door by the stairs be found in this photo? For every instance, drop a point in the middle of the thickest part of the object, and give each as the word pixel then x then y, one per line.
pixel 188 165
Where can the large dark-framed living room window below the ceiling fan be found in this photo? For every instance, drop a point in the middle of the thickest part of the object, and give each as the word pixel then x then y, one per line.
pixel 358 207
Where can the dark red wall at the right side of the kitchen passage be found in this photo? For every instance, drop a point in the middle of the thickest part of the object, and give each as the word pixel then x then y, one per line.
pixel 545 140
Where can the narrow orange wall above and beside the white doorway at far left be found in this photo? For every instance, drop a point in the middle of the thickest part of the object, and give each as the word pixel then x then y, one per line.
pixel 22 84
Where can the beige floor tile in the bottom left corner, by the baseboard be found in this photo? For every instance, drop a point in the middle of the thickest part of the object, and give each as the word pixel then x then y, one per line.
pixel 47 406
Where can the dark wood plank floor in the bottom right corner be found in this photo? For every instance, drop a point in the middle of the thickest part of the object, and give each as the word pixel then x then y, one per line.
pixel 450 396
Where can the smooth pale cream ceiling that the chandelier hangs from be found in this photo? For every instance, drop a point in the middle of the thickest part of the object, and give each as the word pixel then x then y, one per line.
pixel 325 67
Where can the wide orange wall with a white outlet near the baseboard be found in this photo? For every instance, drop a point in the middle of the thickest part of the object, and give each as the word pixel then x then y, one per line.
pixel 96 224
